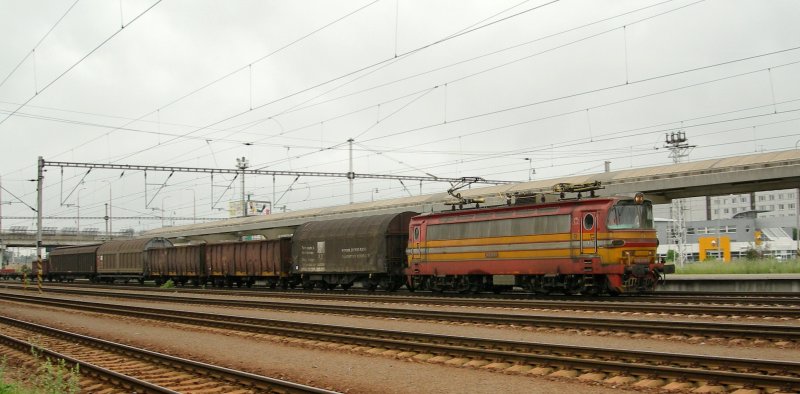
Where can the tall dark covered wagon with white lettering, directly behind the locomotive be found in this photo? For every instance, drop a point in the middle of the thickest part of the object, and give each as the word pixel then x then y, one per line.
pixel 369 250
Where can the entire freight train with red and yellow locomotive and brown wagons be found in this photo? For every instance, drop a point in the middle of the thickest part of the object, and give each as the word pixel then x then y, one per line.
pixel 594 245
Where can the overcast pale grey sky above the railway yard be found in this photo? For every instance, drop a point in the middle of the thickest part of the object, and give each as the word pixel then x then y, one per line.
pixel 450 88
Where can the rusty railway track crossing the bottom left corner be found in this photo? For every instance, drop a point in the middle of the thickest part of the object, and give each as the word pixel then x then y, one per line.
pixel 120 368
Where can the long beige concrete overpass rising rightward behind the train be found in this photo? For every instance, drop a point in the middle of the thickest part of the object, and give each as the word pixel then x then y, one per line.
pixel 738 174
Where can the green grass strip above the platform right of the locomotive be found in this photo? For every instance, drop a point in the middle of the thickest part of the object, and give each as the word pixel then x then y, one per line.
pixel 761 266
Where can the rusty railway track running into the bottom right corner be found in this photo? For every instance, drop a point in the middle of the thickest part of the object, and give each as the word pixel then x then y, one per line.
pixel 675 370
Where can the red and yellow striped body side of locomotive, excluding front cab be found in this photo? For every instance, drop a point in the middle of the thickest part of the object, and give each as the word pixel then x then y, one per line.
pixel 493 241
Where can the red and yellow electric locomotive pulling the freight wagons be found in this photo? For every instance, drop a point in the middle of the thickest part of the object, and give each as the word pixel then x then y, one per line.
pixel 593 245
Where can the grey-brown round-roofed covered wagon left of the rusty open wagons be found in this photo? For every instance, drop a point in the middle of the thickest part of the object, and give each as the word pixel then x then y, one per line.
pixel 126 259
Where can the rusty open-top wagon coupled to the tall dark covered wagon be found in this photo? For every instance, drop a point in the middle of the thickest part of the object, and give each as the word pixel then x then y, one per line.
pixel 245 262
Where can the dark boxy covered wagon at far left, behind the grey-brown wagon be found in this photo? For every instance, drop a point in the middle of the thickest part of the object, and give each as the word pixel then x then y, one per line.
pixel 73 262
